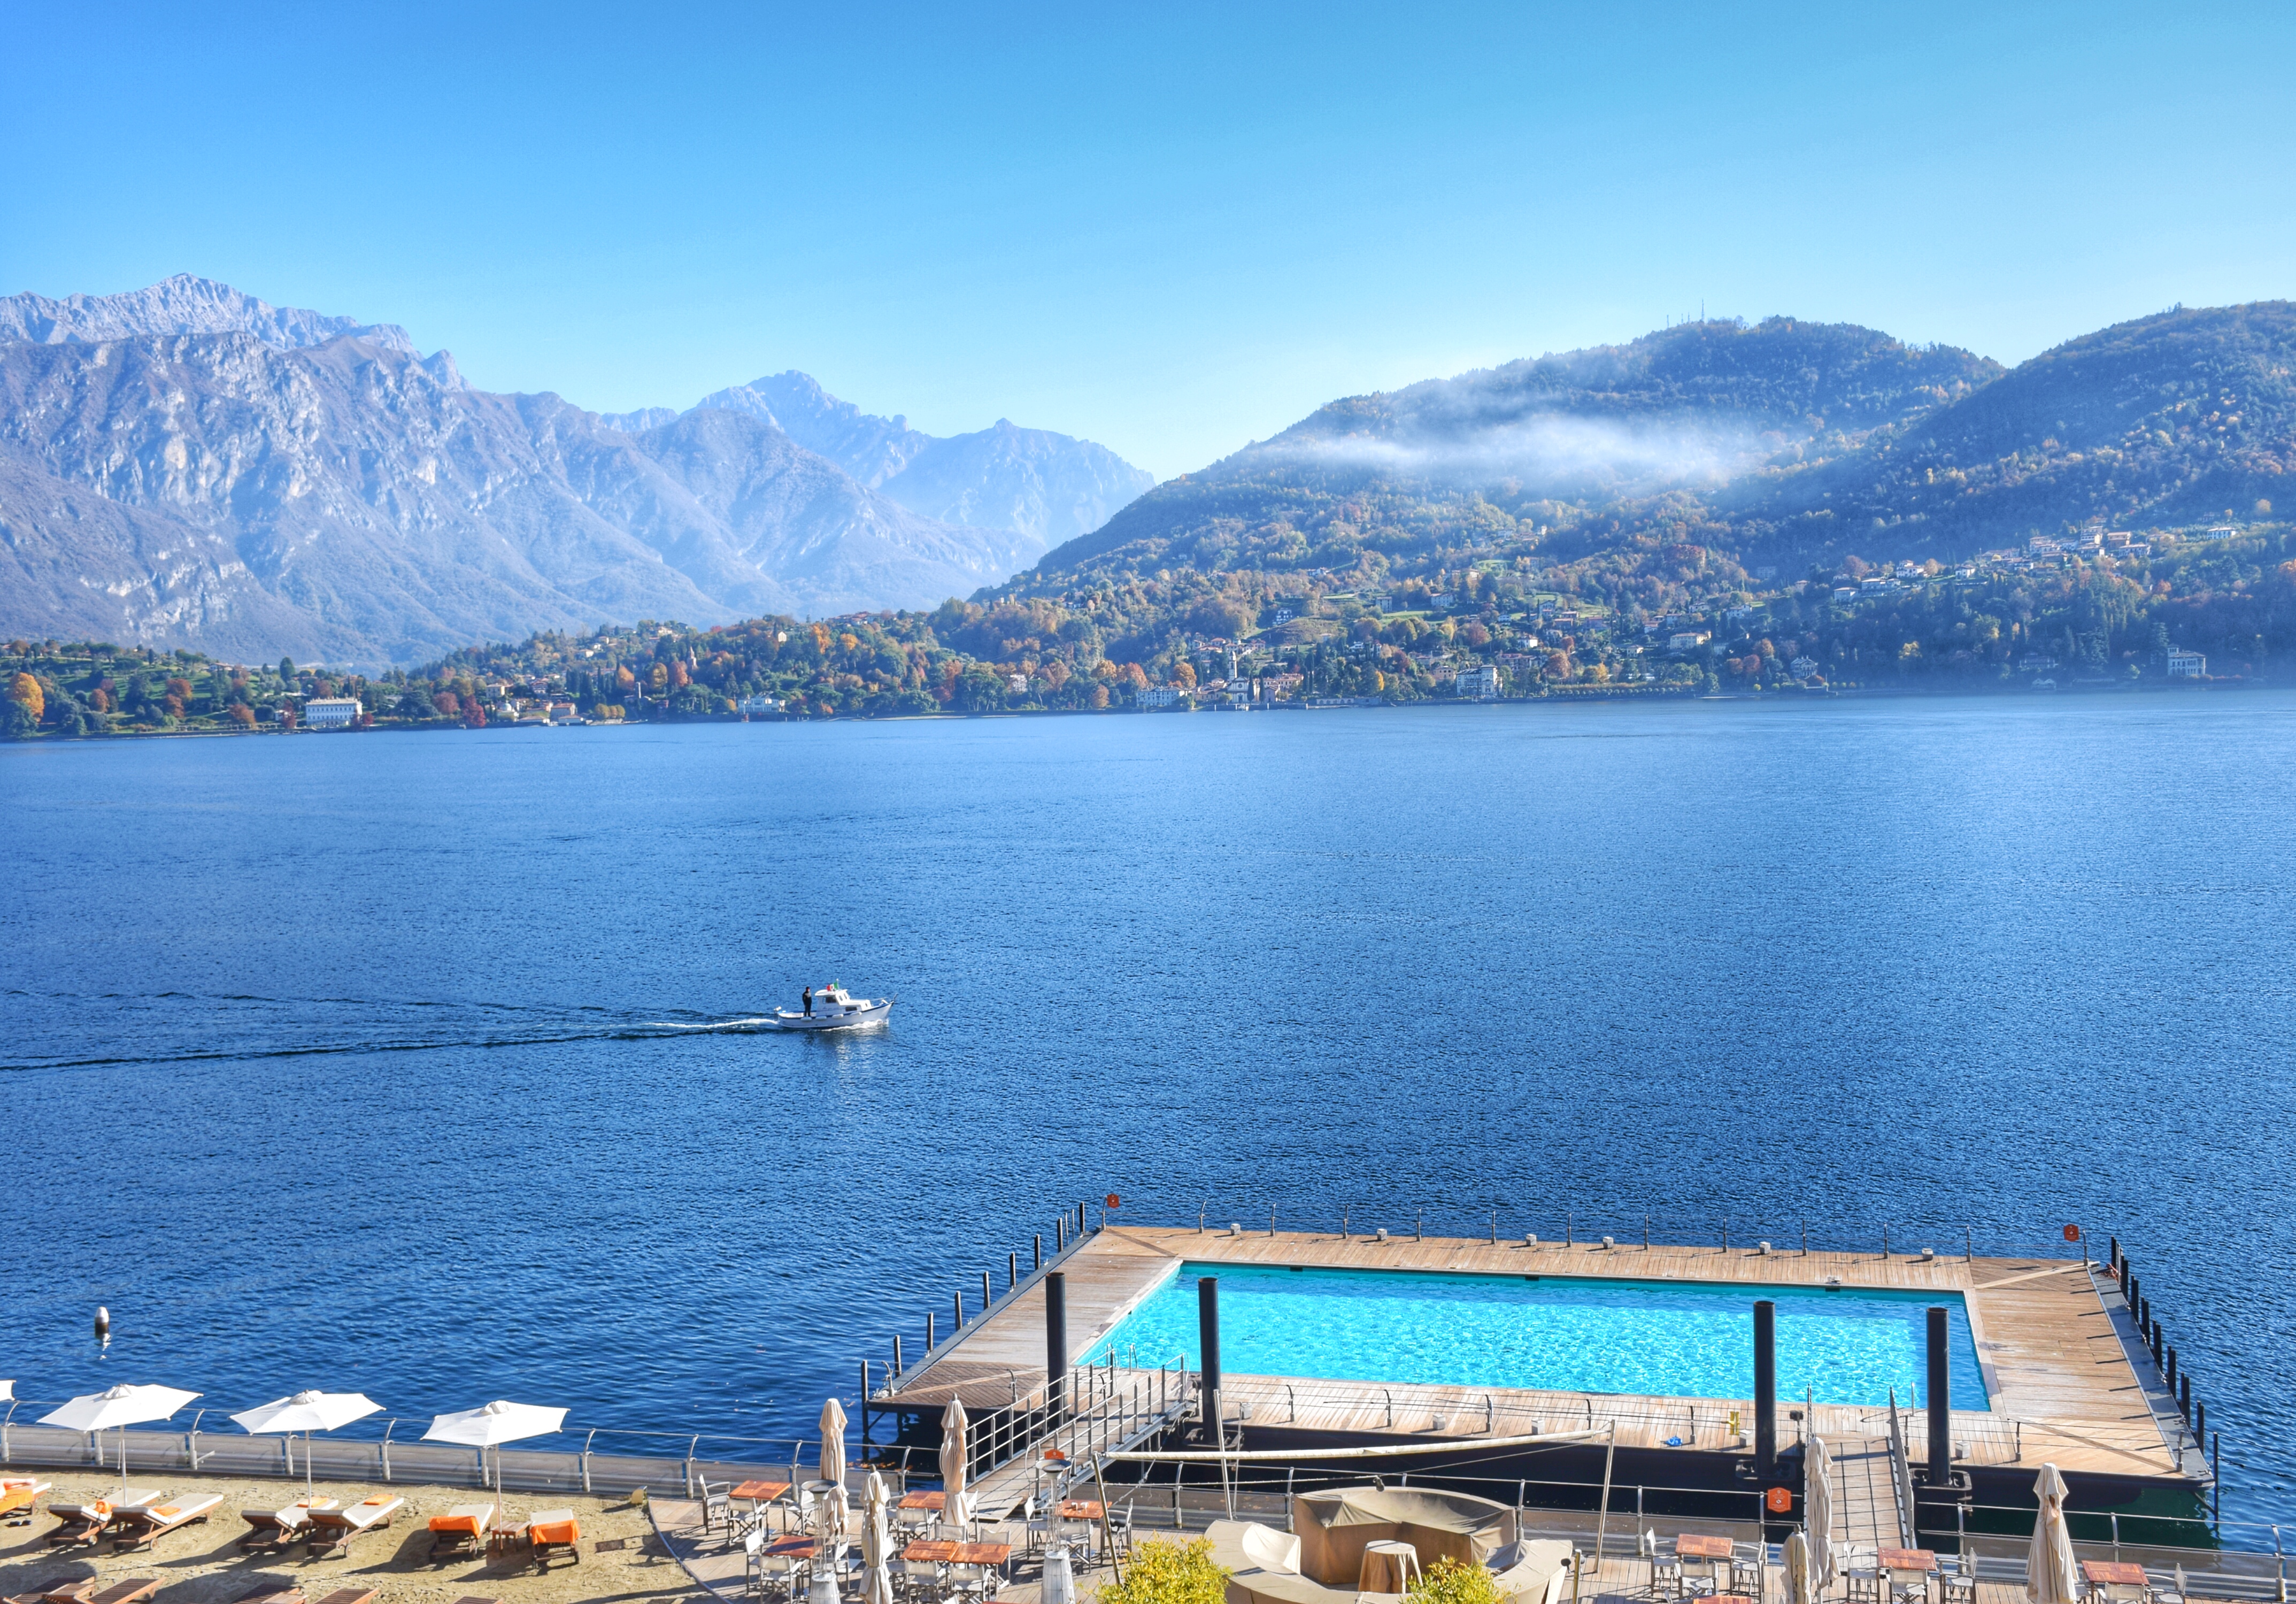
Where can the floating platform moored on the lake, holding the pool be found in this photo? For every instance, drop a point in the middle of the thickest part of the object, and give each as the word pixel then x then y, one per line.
pixel 2068 1376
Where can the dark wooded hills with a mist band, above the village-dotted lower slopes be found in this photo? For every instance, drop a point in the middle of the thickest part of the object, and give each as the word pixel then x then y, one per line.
pixel 1778 442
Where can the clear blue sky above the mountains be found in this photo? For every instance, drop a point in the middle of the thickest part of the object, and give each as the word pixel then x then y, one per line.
pixel 1168 231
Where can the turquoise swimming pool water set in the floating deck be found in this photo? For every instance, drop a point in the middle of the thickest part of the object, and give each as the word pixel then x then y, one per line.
pixel 1670 1339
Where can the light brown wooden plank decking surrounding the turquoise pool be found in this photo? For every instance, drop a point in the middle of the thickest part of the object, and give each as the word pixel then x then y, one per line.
pixel 2054 1344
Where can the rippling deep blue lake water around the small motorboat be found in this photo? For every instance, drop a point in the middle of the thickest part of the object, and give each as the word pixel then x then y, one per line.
pixel 412 1064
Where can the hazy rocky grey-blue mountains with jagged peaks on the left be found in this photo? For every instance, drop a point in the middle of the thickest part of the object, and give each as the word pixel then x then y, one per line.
pixel 194 467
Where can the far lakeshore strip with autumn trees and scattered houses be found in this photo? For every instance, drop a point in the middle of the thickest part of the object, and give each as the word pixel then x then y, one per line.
pixel 2091 612
